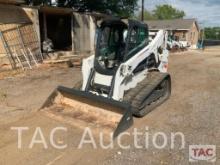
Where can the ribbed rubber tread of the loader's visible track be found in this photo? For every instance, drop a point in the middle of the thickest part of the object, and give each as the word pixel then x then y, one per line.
pixel 135 96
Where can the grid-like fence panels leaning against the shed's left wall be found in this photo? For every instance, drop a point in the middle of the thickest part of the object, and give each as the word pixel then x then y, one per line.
pixel 22 46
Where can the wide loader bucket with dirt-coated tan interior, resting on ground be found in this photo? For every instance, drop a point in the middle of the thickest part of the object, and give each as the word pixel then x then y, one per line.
pixel 87 109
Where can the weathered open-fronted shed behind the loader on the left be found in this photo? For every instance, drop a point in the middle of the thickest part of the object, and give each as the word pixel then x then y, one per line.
pixel 69 31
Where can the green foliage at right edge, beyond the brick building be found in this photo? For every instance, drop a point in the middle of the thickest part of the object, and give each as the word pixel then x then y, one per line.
pixel 212 33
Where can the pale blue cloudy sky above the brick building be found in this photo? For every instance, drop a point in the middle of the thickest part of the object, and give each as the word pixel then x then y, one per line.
pixel 207 12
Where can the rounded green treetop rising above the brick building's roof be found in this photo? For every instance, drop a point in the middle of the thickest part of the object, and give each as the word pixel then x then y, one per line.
pixel 167 12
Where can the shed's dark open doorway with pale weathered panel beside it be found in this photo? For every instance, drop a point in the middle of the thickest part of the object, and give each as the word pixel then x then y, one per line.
pixel 68 30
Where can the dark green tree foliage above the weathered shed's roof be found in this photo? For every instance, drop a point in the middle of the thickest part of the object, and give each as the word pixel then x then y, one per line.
pixel 123 8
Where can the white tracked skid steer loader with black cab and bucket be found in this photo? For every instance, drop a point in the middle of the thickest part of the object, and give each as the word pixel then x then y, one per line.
pixel 126 77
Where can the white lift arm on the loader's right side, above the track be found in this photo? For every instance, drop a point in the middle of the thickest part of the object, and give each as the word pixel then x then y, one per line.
pixel 126 69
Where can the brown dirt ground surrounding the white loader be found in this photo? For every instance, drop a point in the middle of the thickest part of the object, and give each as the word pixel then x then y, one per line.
pixel 193 109
